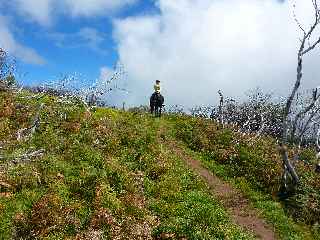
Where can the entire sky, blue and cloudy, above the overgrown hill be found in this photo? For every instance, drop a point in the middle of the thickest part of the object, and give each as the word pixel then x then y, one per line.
pixel 195 47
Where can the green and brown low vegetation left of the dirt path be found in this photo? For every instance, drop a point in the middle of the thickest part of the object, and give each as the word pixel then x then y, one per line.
pixel 103 174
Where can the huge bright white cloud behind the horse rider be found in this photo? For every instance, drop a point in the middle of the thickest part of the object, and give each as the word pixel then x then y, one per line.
pixel 198 47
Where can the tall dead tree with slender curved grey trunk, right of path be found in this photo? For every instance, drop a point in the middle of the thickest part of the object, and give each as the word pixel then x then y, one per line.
pixel 303 50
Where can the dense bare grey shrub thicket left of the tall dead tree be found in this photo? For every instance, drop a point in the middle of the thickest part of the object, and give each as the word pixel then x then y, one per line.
pixel 259 114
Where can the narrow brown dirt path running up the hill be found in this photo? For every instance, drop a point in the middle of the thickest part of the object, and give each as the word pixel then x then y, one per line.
pixel 234 201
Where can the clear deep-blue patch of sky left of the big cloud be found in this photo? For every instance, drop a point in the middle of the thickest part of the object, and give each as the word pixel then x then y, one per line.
pixel 81 44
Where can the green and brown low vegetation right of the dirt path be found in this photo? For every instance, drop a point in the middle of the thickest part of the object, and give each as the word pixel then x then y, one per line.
pixel 254 167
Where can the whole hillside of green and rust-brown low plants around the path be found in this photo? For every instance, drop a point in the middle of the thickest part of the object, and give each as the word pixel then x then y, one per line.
pixel 109 174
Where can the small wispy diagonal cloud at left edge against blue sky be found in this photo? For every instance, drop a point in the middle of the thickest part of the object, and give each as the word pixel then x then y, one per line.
pixel 8 42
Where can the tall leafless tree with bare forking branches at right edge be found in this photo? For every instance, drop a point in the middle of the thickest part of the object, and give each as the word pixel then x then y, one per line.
pixel 298 123
